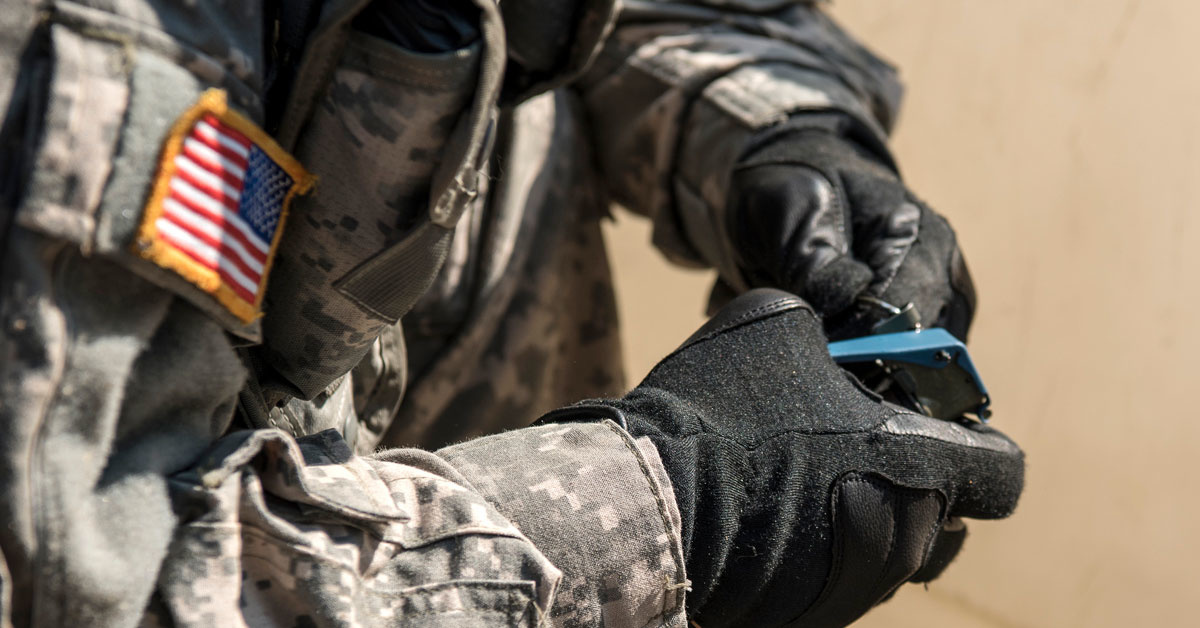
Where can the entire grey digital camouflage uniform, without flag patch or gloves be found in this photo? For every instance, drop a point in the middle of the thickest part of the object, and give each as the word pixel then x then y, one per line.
pixel 166 462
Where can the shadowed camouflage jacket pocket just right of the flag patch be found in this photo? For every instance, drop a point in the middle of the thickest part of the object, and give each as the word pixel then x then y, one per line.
pixel 375 141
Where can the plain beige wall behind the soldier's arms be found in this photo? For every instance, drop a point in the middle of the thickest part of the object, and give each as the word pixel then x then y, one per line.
pixel 1063 139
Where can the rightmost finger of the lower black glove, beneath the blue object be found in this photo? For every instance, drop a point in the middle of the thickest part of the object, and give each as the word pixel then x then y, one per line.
pixel 982 470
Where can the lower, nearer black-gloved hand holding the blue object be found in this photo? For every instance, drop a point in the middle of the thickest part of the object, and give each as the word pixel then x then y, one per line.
pixel 803 498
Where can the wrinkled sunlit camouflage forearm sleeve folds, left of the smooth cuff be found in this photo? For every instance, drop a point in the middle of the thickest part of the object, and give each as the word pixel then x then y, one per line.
pixel 277 531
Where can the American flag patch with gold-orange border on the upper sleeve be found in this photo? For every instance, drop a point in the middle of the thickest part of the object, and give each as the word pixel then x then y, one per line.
pixel 218 207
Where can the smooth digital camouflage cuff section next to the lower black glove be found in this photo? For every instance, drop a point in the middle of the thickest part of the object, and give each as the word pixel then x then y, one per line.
pixel 599 505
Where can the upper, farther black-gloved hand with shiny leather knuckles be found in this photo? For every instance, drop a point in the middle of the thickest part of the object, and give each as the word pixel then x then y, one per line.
pixel 814 212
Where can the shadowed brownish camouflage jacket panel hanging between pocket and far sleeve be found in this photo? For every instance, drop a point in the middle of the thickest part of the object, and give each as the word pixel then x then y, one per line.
pixel 525 321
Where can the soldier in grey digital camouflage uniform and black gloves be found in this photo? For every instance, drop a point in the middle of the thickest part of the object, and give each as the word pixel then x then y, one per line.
pixel 247 244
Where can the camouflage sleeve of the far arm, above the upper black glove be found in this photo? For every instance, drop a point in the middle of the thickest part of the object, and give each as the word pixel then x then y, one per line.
pixel 681 88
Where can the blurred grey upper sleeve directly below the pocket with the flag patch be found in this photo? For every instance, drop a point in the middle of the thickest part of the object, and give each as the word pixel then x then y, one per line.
pixel 109 386
